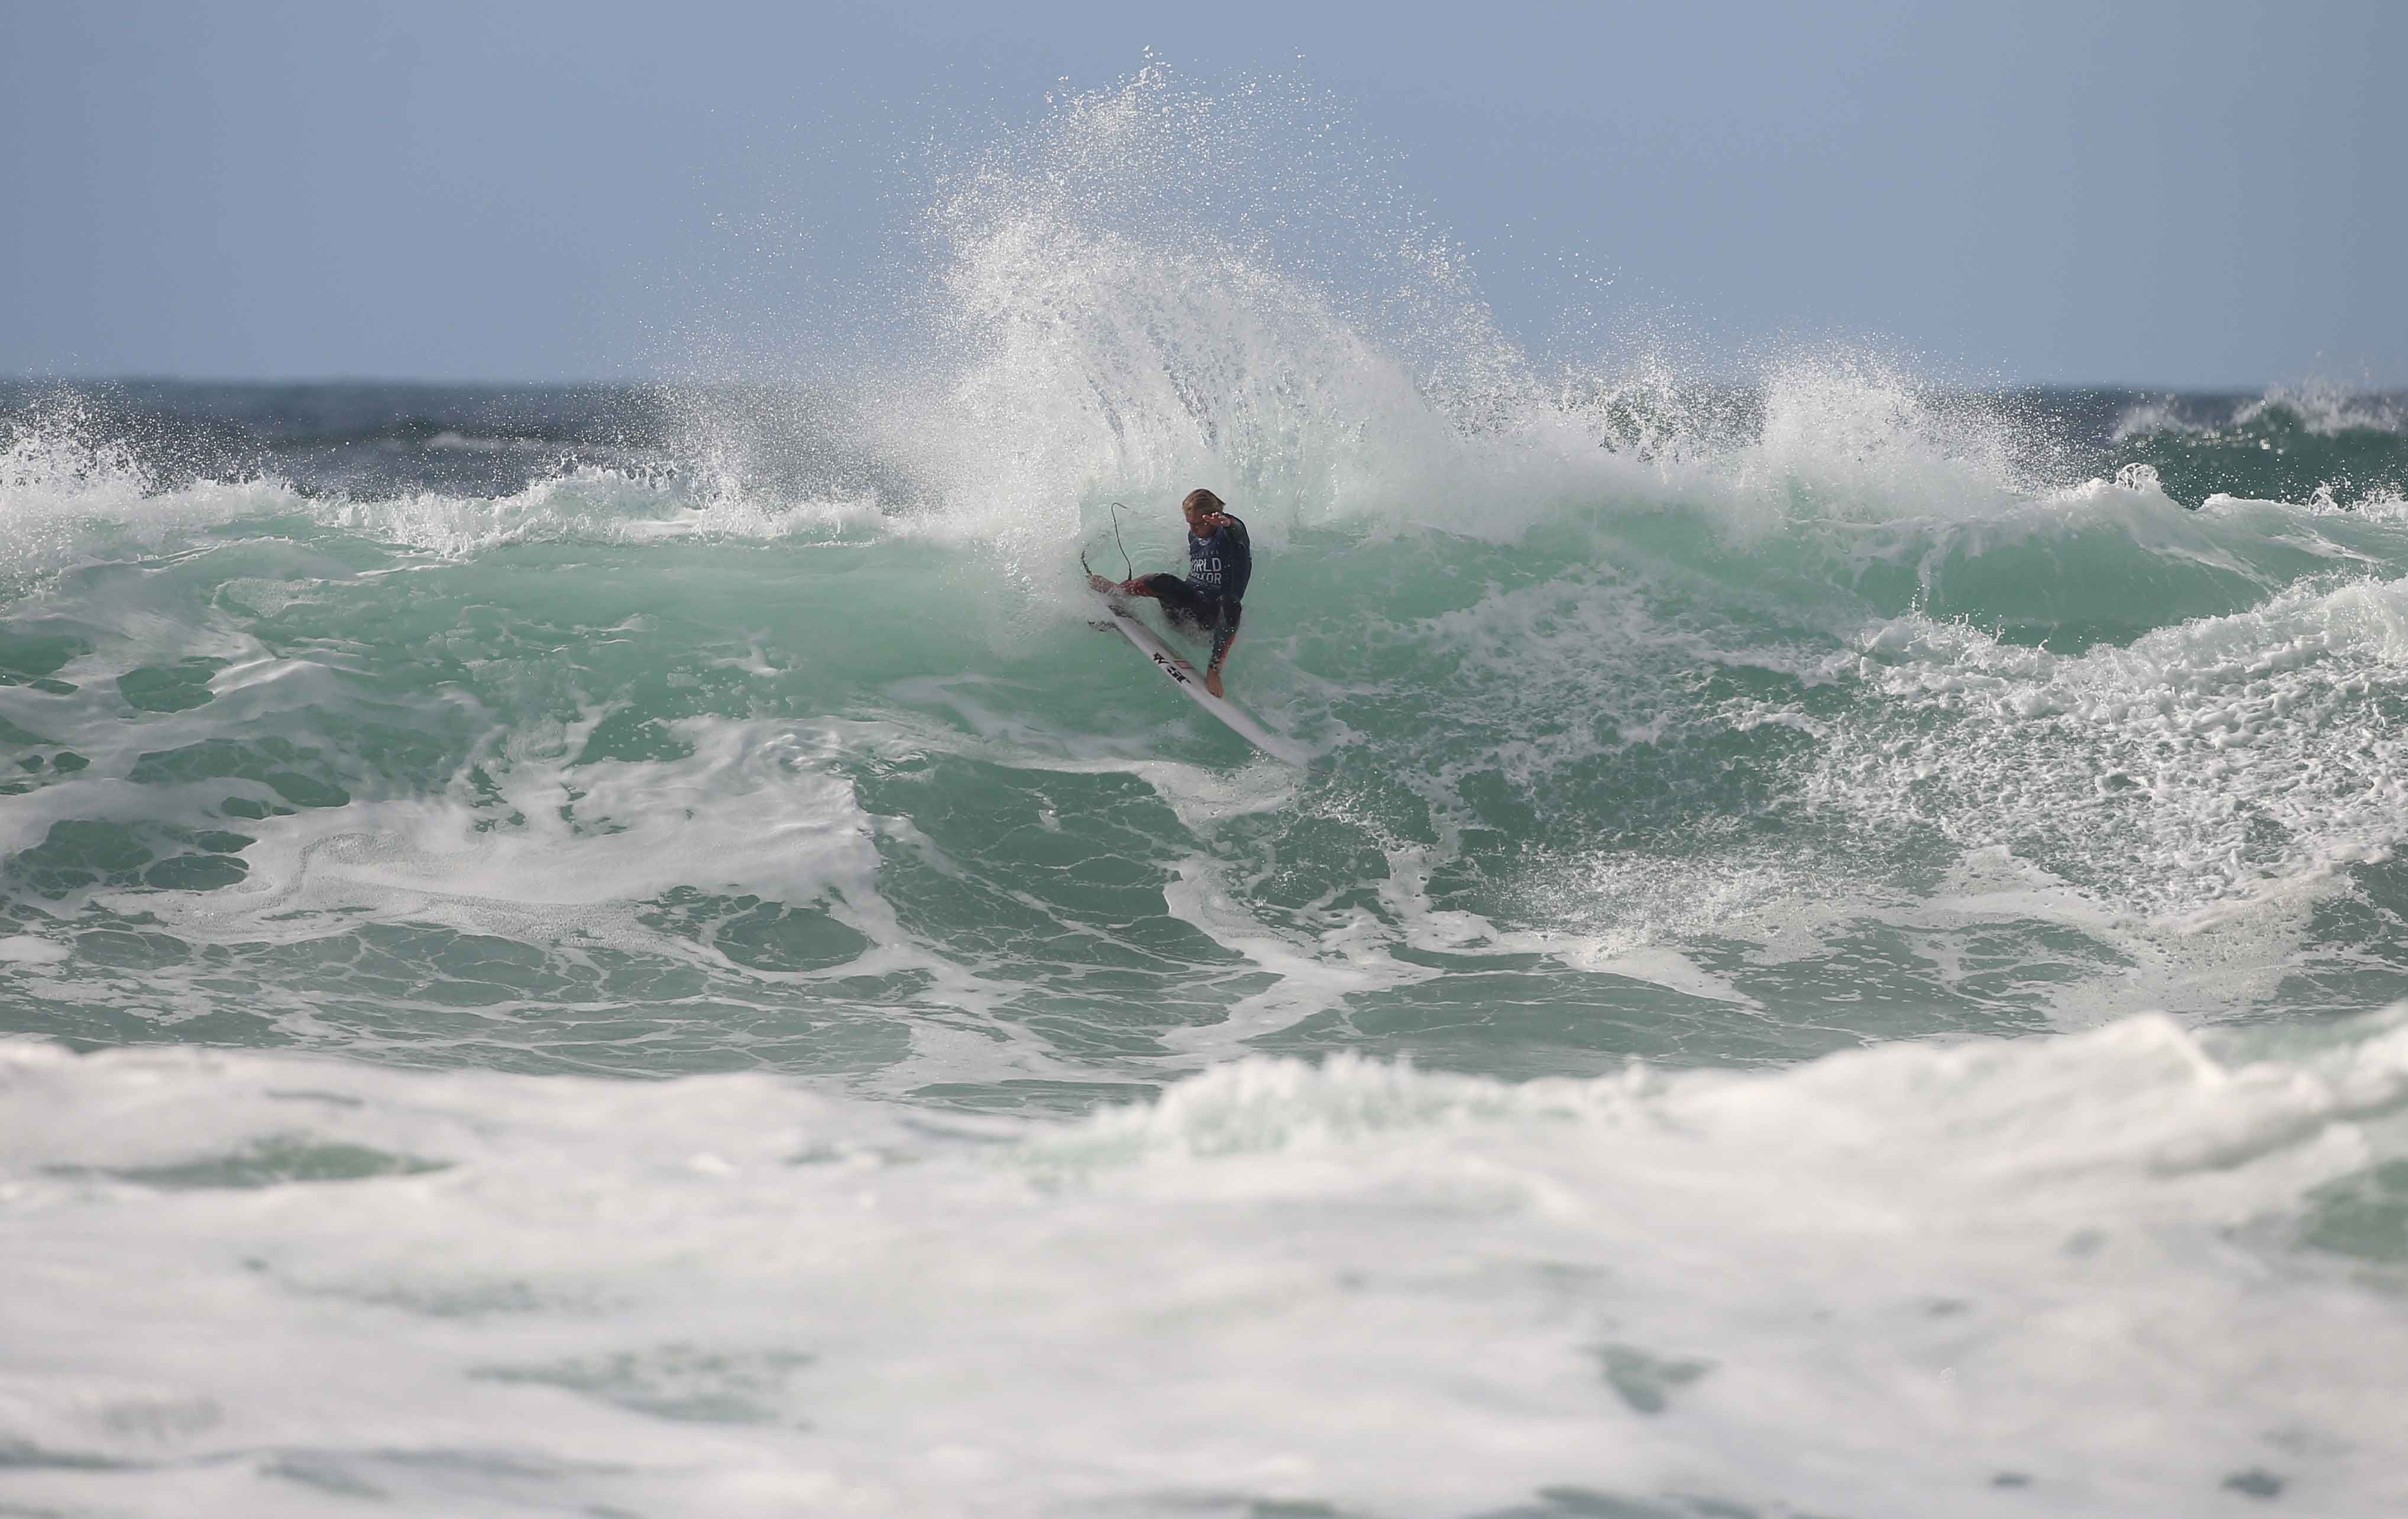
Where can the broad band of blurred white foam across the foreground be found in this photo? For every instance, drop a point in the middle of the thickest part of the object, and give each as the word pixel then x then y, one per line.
pixel 2062 1277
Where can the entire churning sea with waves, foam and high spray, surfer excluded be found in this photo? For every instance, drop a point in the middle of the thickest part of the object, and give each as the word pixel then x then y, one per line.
pixel 632 952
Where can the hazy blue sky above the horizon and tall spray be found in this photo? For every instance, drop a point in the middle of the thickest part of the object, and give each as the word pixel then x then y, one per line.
pixel 2202 194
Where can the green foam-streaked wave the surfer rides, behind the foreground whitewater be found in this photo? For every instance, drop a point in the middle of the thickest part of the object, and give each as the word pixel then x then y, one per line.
pixel 1723 752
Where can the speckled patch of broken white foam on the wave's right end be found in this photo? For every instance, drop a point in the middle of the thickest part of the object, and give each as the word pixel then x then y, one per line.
pixel 2205 764
